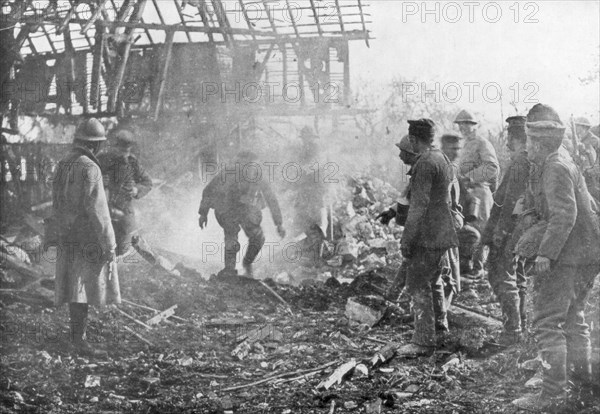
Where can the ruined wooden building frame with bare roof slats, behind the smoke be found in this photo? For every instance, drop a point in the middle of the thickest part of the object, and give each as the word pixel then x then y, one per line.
pixel 215 66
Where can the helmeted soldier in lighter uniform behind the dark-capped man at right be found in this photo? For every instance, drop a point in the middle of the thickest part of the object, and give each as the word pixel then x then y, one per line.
pixel 478 173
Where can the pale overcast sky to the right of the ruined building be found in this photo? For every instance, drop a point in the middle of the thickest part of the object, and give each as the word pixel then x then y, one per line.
pixel 549 46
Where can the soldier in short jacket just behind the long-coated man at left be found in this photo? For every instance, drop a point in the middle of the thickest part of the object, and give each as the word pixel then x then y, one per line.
pixel 125 181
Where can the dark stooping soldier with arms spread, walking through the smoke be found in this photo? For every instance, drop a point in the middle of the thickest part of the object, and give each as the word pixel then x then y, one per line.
pixel 238 197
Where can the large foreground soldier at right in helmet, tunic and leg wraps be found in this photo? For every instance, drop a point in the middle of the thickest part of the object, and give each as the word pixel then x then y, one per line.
pixel 567 262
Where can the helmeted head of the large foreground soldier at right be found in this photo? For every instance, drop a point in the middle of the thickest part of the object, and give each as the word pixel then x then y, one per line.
pixel 545 132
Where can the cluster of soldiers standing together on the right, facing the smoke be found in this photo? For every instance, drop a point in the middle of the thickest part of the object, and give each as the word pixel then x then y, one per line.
pixel 542 220
